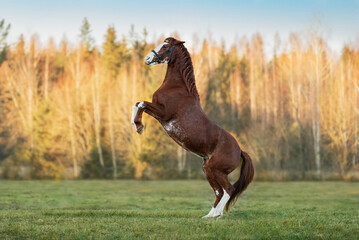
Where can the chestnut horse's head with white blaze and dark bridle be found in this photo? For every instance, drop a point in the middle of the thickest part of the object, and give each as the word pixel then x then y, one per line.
pixel 164 53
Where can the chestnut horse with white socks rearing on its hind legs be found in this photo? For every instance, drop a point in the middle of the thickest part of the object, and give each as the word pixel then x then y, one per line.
pixel 176 105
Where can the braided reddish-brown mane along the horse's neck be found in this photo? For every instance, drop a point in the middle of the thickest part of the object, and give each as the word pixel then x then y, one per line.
pixel 187 71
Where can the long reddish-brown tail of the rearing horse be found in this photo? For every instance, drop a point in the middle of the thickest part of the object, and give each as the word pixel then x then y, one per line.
pixel 246 177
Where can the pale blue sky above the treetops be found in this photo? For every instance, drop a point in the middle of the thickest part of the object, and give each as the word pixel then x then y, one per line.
pixel 337 21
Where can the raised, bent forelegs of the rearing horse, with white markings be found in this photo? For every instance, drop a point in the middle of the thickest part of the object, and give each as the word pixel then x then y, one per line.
pixel 155 110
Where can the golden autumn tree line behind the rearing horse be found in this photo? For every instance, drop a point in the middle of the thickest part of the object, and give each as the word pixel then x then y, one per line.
pixel 65 109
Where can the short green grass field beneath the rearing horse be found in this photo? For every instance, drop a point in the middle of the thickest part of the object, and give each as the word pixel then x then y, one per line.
pixel 172 210
